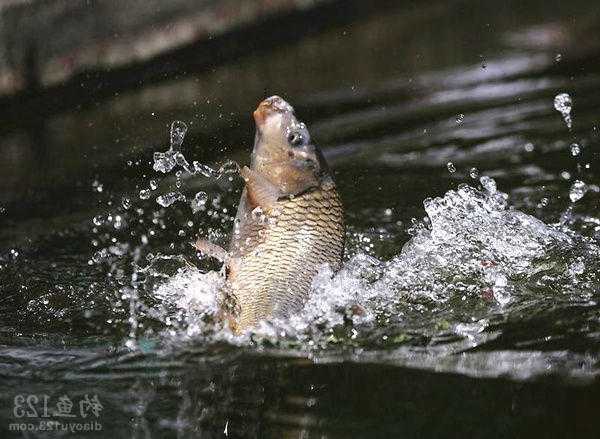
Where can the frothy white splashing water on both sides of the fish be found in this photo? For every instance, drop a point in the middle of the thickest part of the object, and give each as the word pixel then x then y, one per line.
pixel 470 246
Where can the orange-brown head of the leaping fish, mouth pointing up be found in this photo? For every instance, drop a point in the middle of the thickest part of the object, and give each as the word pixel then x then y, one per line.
pixel 283 150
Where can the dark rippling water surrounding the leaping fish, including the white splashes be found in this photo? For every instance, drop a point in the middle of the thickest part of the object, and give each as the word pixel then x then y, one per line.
pixel 485 324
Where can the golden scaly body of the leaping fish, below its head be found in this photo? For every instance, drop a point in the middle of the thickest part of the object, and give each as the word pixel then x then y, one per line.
pixel 300 235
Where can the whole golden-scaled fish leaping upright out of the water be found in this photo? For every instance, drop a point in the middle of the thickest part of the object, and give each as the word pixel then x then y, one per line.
pixel 289 222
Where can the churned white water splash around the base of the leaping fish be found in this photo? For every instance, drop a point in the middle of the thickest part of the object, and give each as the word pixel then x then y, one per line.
pixel 471 248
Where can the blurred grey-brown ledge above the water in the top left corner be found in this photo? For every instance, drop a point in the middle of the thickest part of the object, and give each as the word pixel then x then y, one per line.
pixel 44 43
